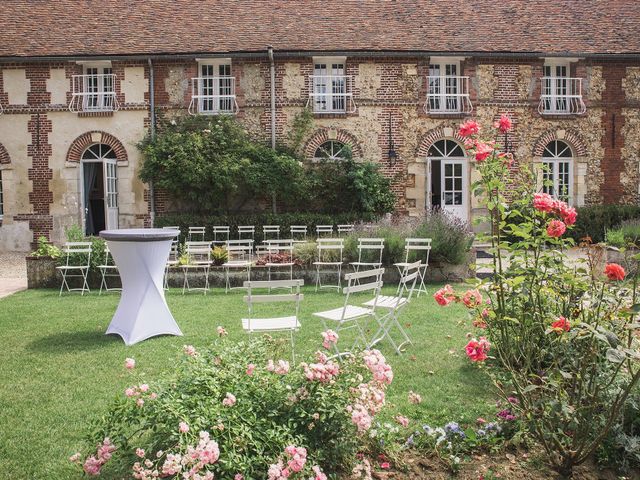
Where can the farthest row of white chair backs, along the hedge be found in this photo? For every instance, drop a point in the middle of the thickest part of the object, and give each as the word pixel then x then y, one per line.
pixel 298 233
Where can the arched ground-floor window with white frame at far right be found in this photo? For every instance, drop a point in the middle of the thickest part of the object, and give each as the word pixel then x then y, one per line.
pixel 557 161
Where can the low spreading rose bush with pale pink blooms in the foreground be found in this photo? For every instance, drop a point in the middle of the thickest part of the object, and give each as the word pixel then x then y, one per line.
pixel 237 411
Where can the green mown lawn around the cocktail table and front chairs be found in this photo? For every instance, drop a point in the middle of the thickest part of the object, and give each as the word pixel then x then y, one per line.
pixel 59 371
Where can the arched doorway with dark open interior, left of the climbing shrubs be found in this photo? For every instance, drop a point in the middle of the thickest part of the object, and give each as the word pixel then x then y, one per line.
pixel 99 189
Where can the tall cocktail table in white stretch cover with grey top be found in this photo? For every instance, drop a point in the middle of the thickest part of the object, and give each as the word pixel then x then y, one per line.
pixel 141 256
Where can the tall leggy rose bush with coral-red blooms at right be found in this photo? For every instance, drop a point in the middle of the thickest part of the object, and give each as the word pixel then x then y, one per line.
pixel 561 339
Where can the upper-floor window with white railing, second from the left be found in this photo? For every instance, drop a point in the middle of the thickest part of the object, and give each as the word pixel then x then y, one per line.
pixel 214 91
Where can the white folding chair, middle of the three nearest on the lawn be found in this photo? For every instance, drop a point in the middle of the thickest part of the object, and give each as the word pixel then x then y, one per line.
pixel 349 316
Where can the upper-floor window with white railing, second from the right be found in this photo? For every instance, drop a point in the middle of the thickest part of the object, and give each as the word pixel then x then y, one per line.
pixel 447 90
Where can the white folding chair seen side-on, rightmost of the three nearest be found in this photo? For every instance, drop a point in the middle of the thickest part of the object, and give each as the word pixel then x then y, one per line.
pixel 394 305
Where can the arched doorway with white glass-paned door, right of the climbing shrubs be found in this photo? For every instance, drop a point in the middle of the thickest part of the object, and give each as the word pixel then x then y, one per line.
pixel 448 182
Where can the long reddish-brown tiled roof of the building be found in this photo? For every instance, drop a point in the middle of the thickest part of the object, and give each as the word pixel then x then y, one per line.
pixel 32 28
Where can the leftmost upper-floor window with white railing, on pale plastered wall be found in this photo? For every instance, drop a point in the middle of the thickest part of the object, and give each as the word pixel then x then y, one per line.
pixel 94 90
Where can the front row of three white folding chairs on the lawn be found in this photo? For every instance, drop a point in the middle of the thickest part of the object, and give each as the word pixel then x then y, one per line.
pixel 350 316
